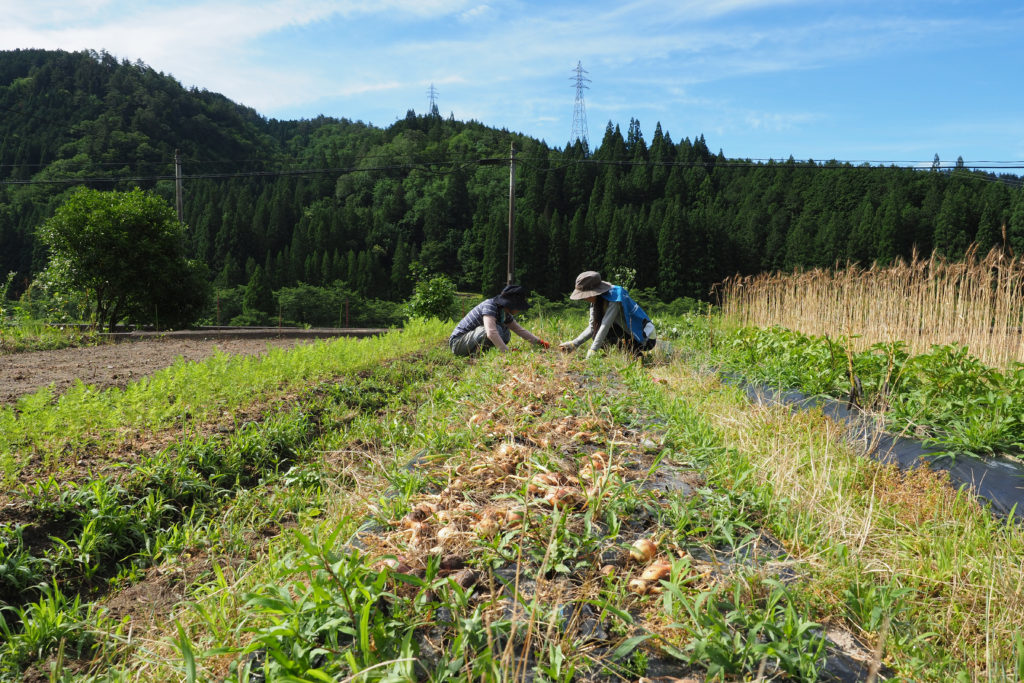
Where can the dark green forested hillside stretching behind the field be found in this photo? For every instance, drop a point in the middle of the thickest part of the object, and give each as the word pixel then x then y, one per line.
pixel 327 200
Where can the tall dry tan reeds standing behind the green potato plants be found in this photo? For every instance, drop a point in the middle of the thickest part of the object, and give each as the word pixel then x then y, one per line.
pixel 977 303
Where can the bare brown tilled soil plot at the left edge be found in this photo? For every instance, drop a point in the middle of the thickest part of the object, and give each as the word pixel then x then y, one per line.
pixel 117 365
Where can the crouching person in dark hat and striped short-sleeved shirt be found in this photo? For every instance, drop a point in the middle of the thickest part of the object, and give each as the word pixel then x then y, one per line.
pixel 492 323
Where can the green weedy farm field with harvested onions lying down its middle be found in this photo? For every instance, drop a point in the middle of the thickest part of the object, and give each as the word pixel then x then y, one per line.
pixel 379 510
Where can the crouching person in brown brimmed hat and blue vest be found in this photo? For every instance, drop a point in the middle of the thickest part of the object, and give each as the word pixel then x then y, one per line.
pixel 615 318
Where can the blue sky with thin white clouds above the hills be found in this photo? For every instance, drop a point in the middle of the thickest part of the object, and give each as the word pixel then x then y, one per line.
pixel 879 81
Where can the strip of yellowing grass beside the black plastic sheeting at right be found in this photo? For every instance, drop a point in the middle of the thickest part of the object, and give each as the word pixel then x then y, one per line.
pixel 923 573
